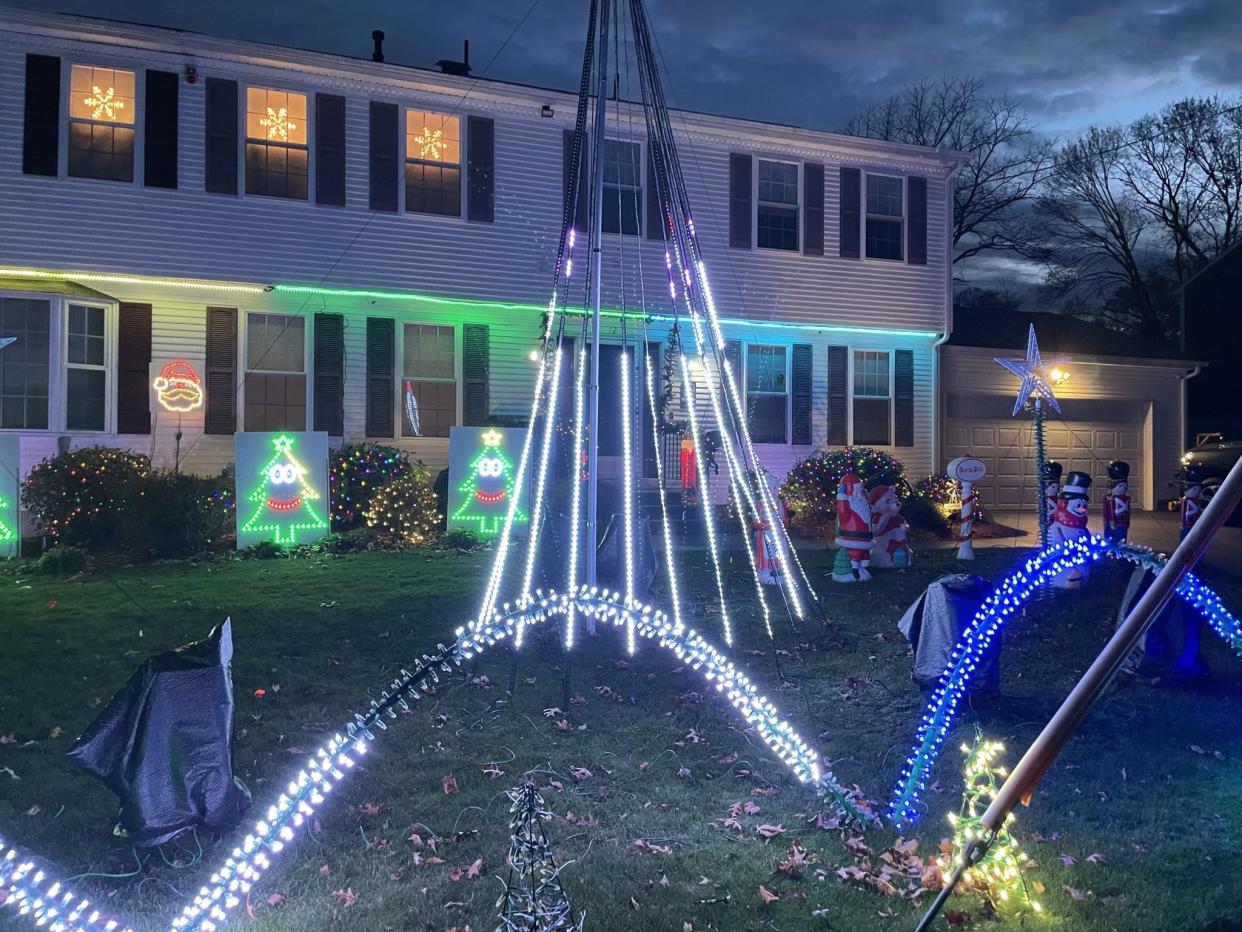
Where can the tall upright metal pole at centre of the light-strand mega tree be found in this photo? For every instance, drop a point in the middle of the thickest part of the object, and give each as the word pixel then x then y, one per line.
pixel 597 214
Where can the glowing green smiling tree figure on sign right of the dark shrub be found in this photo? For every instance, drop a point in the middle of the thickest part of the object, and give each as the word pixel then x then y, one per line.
pixel 285 500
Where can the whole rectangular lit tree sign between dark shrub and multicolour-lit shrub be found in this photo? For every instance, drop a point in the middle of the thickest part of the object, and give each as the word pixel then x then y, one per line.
pixel 283 488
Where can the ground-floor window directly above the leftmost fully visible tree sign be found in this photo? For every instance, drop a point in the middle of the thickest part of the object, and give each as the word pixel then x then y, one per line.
pixel 276 372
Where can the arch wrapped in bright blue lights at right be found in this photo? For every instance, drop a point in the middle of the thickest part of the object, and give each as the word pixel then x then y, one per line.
pixel 976 643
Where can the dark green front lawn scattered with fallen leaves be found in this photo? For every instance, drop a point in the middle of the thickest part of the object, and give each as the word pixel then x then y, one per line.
pixel 321 636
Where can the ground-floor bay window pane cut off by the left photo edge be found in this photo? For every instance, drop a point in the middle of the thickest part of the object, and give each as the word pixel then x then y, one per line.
pixel 25 363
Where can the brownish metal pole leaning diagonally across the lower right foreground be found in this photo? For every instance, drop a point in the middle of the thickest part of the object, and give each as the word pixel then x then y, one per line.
pixel 1039 759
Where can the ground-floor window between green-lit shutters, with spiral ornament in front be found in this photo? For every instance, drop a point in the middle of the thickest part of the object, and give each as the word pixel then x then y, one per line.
pixel 429 385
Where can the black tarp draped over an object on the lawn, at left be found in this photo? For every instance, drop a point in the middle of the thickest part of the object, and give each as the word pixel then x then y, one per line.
pixel 165 745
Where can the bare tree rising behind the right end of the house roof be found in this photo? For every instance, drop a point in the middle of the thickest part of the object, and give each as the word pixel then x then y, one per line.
pixel 1007 158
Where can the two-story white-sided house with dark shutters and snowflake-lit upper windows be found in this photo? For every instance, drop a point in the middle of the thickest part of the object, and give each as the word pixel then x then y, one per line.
pixel 319 237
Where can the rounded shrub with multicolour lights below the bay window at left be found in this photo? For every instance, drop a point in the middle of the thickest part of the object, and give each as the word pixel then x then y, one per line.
pixel 81 498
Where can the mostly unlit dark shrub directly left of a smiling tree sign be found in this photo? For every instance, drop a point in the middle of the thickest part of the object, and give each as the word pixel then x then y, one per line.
pixel 179 515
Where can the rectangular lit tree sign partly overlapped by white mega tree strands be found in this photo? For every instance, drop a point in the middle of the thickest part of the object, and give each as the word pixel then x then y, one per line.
pixel 481 479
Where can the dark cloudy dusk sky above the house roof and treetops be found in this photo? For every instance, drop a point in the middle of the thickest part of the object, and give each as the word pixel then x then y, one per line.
pixel 812 63
